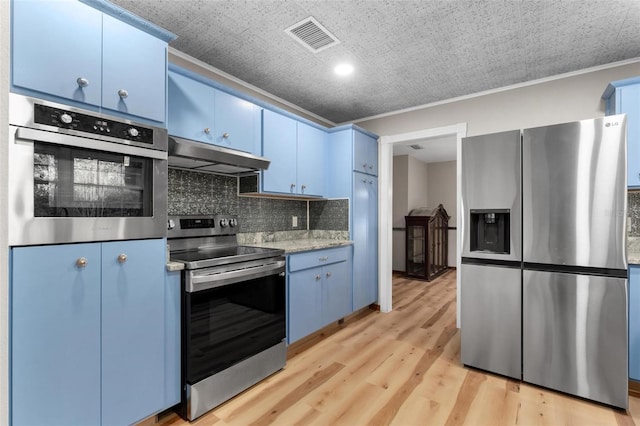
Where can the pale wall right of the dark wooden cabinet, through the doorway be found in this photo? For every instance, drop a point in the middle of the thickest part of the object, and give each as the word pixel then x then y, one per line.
pixel 441 188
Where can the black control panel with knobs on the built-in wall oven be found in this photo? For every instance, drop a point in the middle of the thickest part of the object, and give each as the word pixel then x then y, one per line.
pixel 69 119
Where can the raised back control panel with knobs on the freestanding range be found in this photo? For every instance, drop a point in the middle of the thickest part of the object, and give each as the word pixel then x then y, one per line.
pixel 201 226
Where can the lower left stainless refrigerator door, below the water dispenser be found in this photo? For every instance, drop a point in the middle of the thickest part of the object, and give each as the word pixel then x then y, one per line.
pixel 491 315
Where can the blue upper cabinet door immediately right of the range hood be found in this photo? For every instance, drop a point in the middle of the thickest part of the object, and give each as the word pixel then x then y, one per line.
pixel 279 145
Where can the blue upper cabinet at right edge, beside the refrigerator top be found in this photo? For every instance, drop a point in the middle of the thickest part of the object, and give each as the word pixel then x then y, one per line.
pixel 623 97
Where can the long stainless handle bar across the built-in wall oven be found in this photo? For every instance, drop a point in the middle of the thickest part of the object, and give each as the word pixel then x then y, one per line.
pixel 28 134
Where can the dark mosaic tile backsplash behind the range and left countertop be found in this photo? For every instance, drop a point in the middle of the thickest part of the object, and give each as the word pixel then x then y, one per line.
pixel 203 193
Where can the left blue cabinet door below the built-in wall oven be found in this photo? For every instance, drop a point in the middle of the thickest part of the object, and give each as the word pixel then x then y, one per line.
pixel 55 335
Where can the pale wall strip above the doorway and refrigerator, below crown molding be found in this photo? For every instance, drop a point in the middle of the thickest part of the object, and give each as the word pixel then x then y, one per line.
pixel 574 97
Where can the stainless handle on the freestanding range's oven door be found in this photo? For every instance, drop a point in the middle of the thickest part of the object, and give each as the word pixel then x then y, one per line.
pixel 205 281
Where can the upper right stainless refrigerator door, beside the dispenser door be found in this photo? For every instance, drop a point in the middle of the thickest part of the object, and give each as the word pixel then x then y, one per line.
pixel 574 191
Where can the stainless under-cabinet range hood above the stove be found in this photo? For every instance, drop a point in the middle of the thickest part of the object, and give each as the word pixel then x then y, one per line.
pixel 199 156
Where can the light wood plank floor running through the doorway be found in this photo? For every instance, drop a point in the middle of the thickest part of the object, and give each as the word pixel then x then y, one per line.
pixel 401 368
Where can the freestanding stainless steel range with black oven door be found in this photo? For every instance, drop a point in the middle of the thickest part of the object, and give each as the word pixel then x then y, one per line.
pixel 233 311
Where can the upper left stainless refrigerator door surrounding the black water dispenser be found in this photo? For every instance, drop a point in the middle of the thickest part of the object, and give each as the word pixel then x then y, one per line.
pixel 491 182
